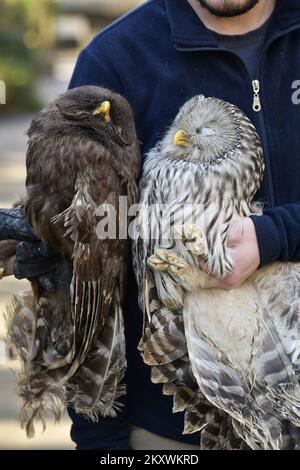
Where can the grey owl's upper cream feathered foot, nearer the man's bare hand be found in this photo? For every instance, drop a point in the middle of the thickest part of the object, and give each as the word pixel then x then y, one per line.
pixel 192 238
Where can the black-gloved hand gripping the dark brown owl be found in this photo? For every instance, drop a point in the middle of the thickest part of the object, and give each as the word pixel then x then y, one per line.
pixel 34 260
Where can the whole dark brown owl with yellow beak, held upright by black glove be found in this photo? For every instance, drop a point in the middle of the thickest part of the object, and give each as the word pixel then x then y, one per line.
pixel 83 154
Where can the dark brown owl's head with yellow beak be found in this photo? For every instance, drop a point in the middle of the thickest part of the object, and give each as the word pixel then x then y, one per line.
pixel 92 110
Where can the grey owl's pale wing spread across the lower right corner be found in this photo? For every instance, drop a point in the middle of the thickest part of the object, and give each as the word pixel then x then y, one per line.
pixel 274 394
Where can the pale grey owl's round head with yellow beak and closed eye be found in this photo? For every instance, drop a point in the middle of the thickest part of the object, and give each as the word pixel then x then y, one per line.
pixel 205 131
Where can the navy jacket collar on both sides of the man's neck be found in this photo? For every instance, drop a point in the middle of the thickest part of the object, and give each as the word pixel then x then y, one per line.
pixel 188 30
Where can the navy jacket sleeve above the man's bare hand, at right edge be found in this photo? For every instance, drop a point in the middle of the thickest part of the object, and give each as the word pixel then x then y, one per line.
pixel 278 233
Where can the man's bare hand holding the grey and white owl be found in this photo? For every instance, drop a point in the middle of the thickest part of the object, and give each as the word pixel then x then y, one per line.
pixel 243 246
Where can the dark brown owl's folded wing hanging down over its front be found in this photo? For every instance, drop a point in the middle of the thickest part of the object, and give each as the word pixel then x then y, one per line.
pixel 94 278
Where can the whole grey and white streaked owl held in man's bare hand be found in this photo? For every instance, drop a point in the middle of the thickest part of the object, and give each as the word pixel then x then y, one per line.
pixel 230 358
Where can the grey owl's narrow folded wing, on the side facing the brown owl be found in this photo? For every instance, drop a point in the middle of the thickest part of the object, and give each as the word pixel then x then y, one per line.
pixel 163 343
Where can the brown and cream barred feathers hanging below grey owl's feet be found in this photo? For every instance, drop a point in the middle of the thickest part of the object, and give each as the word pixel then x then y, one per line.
pixel 163 346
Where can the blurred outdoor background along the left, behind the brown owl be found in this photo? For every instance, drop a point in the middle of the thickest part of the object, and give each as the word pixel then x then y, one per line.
pixel 39 43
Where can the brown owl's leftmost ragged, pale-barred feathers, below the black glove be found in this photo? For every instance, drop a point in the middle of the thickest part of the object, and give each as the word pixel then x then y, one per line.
pixel 39 390
